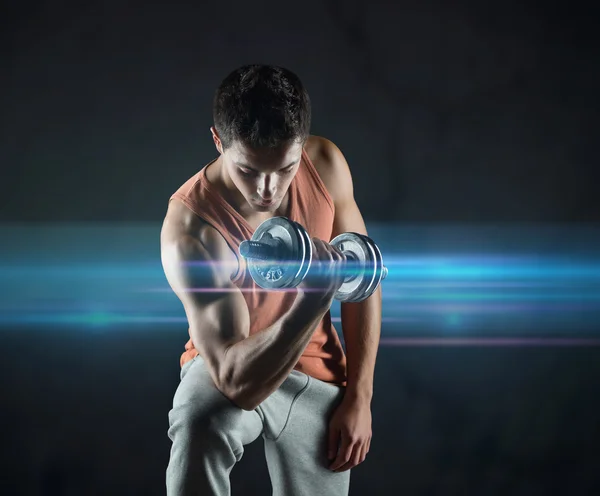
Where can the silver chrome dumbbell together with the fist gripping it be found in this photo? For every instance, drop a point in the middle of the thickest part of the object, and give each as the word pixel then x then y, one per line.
pixel 281 255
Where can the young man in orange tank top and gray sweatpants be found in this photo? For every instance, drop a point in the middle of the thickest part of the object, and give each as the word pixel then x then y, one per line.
pixel 267 363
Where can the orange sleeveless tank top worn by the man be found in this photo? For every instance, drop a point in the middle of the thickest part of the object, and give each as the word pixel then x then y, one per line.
pixel 312 207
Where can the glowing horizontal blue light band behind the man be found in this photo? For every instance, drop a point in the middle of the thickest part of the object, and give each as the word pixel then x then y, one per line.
pixel 518 285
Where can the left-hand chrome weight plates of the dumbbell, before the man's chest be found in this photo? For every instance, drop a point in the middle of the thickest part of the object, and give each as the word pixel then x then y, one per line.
pixel 294 242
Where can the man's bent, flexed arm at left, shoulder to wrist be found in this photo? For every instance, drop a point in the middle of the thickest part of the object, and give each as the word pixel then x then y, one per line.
pixel 246 369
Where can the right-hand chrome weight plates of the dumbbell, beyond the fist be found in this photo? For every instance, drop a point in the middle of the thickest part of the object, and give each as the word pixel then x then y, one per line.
pixel 365 267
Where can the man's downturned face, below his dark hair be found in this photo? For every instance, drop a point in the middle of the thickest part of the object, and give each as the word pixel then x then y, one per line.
pixel 262 176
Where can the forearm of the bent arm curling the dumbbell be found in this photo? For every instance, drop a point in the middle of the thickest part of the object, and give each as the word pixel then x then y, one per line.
pixel 259 364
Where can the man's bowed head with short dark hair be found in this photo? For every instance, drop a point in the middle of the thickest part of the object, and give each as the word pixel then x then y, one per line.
pixel 262 120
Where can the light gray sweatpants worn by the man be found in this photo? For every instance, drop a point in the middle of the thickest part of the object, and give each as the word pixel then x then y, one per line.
pixel 209 433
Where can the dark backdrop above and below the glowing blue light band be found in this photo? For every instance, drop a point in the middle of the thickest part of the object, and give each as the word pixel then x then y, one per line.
pixel 446 111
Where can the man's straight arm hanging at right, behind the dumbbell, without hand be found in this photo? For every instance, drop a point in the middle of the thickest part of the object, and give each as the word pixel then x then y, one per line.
pixel 361 322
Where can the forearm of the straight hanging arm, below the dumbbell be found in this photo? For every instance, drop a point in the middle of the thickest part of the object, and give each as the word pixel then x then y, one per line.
pixel 361 326
